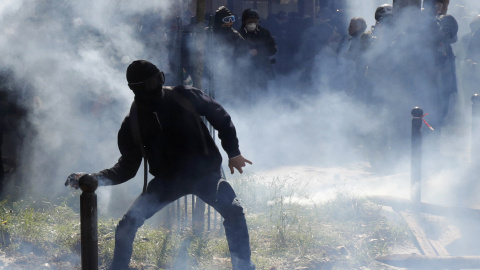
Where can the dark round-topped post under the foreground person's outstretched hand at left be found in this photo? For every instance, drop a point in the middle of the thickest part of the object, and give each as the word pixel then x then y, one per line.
pixel 89 222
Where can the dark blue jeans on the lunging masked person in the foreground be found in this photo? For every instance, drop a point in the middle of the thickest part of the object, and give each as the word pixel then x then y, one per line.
pixel 212 189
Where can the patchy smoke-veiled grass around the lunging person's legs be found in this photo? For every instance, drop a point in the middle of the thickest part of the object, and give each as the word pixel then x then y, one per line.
pixel 287 231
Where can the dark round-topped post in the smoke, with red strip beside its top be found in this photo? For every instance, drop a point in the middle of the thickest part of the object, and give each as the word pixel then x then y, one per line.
pixel 416 165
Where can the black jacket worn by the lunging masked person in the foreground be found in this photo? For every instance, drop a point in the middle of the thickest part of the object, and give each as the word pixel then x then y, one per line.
pixel 173 142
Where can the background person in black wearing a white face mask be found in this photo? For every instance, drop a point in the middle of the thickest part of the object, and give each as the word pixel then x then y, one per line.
pixel 261 47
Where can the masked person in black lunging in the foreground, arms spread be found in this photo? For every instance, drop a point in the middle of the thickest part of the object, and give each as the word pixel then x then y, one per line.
pixel 180 156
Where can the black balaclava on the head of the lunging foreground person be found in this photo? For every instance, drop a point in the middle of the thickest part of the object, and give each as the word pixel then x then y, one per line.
pixel 145 79
